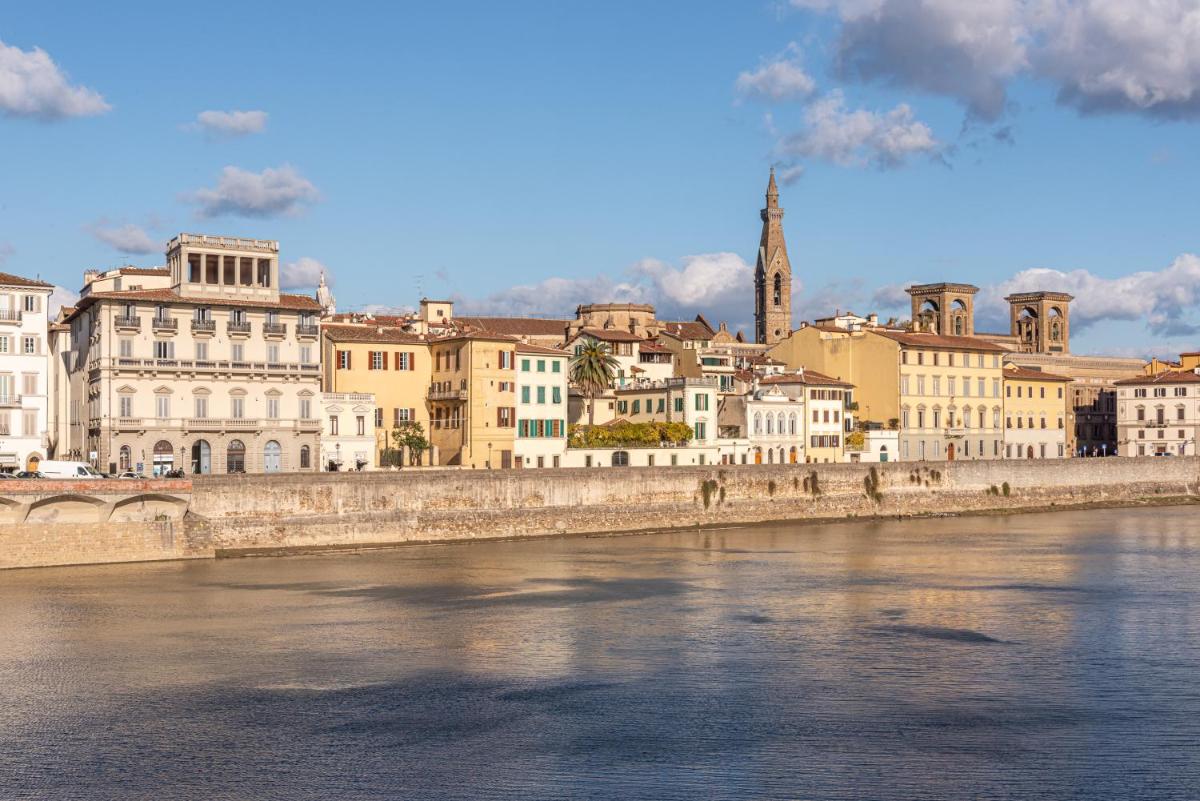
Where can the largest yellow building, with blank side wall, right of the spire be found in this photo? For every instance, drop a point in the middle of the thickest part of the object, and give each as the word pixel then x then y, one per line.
pixel 943 393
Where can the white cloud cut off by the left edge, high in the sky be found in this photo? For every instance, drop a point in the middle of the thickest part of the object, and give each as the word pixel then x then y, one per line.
pixel 32 86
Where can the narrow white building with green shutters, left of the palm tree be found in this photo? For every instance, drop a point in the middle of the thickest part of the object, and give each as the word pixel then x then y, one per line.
pixel 542 407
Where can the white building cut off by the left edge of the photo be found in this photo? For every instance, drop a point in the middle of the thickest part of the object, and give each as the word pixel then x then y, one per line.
pixel 25 372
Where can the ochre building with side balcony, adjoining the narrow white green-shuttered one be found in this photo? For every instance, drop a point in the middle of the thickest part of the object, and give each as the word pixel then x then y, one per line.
pixel 472 400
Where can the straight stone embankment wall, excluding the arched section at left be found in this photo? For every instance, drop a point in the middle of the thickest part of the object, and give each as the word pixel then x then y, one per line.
pixel 333 510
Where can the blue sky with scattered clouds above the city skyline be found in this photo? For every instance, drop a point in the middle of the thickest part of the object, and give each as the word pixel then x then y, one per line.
pixel 530 156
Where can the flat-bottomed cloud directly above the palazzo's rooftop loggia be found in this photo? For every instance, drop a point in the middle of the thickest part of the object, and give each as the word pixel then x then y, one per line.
pixel 273 192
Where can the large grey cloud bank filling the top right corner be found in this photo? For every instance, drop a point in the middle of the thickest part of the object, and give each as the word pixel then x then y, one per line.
pixel 1102 56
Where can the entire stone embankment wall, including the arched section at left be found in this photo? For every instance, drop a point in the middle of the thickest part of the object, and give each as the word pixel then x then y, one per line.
pixel 62 523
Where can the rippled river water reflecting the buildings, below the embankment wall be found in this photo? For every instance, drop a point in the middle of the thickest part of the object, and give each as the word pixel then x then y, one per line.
pixel 1048 657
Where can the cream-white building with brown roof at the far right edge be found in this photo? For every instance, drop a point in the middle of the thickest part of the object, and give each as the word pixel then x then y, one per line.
pixel 1160 415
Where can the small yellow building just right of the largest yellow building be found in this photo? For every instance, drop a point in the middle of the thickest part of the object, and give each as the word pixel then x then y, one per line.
pixel 1037 414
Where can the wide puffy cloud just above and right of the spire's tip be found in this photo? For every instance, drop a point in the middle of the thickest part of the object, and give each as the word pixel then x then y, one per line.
pixel 859 137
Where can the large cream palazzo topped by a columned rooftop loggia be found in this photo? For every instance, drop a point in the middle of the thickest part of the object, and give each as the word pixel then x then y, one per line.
pixel 205 368
